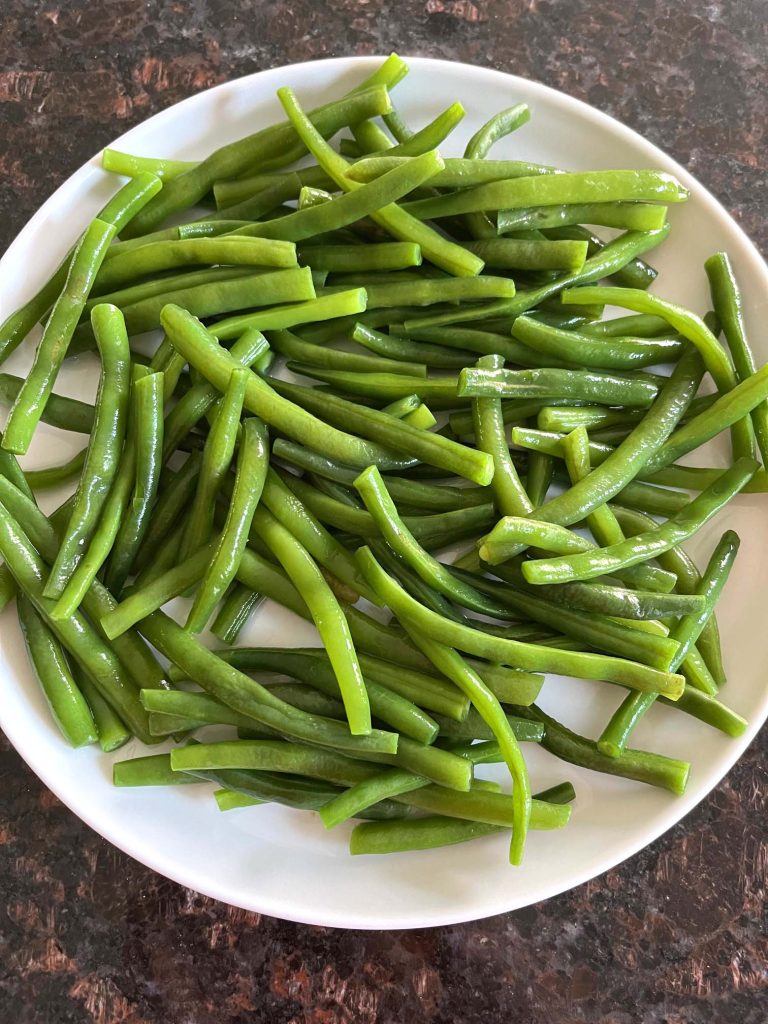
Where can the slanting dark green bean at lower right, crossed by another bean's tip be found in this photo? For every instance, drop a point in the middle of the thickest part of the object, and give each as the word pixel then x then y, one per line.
pixel 687 632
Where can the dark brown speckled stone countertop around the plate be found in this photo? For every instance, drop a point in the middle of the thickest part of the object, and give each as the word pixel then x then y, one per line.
pixel 674 936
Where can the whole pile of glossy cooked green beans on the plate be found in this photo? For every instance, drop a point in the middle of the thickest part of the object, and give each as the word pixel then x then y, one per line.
pixel 212 477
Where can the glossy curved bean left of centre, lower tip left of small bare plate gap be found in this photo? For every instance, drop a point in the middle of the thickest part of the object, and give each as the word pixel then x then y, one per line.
pixel 249 483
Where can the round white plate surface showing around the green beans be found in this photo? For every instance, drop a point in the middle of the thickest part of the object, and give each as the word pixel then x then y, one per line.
pixel 282 863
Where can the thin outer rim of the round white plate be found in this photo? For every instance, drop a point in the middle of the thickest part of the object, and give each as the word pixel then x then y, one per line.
pixel 665 821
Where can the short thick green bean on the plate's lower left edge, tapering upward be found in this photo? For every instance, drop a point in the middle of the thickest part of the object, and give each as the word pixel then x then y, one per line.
pixel 68 706
